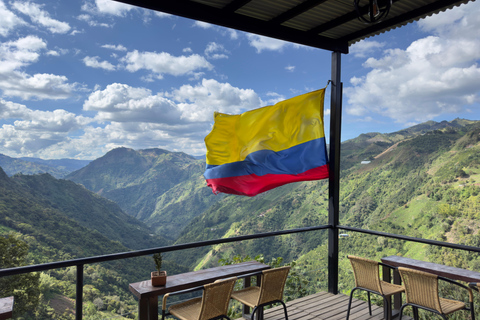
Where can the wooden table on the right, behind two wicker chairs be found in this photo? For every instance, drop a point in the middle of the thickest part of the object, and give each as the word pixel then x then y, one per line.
pixel 453 273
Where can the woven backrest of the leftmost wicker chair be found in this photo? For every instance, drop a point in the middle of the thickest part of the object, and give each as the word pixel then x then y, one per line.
pixel 215 299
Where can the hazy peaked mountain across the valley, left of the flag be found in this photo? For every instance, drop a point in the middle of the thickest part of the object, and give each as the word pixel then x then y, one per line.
pixel 165 189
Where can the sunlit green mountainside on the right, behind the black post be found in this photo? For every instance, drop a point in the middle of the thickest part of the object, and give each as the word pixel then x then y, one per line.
pixel 419 183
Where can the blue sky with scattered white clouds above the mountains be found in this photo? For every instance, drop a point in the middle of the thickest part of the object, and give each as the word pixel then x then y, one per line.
pixel 79 78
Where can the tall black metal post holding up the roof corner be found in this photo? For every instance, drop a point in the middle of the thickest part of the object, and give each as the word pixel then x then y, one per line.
pixel 334 172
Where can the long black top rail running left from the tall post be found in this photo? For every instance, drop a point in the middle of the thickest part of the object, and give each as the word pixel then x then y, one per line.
pixel 138 253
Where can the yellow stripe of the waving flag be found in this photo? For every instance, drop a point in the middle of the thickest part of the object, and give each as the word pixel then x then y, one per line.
pixel 278 127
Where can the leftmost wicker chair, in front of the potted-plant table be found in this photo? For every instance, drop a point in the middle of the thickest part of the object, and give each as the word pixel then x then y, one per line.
pixel 212 305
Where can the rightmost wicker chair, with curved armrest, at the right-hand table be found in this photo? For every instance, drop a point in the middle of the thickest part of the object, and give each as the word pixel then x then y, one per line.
pixel 421 291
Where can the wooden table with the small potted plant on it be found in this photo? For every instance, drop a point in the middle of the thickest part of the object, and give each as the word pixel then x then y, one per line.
pixel 148 295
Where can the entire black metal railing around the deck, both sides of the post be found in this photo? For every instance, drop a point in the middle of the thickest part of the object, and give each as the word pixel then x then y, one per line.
pixel 79 263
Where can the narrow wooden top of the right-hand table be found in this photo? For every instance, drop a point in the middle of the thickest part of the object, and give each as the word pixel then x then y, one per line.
pixel 435 268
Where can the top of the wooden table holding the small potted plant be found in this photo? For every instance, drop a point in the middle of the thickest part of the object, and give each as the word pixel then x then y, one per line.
pixel 193 279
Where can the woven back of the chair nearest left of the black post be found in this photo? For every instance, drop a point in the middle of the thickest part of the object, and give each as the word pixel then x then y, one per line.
pixel 273 284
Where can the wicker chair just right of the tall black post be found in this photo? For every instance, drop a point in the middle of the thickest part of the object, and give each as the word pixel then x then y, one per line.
pixel 367 278
